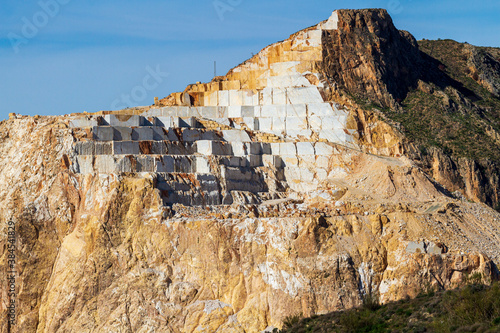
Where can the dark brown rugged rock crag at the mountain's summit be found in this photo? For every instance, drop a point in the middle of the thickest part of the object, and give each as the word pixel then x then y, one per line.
pixel 369 58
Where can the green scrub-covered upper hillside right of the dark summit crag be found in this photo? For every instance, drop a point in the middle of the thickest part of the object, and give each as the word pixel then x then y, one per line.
pixel 455 114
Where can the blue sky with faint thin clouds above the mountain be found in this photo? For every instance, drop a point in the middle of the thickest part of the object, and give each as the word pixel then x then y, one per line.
pixel 64 56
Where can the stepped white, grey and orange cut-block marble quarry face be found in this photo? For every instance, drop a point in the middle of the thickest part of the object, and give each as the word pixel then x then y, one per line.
pixel 263 129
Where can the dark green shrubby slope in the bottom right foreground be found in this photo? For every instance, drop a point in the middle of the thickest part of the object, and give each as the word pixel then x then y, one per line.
pixel 474 308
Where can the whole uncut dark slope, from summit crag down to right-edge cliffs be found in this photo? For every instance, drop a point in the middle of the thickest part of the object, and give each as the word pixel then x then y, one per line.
pixel 443 97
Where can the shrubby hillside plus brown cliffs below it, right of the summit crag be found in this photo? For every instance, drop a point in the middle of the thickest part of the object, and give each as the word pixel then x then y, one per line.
pixel 461 105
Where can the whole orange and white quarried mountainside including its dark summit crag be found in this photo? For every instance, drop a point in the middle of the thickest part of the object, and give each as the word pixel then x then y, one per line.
pixel 268 192
